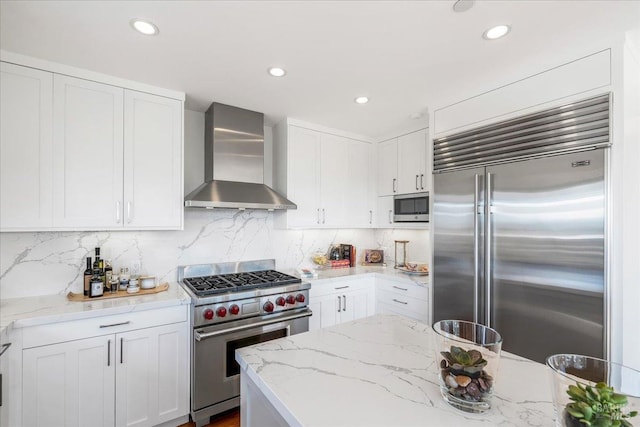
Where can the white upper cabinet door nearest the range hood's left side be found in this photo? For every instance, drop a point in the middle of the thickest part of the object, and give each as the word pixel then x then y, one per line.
pixel 152 161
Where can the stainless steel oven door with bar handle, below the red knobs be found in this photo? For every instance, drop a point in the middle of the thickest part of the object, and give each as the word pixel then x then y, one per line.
pixel 215 372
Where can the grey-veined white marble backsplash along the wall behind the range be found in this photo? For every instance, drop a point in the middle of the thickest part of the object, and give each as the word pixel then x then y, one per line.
pixel 46 263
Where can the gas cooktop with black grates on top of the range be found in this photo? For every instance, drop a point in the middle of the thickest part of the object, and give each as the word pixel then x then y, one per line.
pixel 235 282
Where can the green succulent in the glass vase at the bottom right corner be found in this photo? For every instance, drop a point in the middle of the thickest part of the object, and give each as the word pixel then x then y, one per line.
pixel 598 406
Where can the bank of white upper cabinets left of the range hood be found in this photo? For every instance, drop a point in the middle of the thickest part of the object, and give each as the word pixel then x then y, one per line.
pixel 84 155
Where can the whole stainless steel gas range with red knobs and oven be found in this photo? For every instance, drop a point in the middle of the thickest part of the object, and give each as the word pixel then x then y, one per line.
pixel 235 305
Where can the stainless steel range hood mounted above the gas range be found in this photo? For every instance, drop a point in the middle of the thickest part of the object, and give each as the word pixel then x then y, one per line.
pixel 234 163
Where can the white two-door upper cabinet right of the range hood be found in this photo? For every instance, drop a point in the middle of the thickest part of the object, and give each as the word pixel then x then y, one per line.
pixel 327 175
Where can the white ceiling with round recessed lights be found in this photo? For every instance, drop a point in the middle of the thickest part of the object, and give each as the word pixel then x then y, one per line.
pixel 407 56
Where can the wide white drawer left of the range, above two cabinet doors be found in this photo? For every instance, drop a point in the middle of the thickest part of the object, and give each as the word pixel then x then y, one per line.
pixel 101 325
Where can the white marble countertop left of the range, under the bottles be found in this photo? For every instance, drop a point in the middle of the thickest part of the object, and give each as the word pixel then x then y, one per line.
pixel 33 311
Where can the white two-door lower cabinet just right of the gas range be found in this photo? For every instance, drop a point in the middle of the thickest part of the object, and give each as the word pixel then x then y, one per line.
pixel 338 302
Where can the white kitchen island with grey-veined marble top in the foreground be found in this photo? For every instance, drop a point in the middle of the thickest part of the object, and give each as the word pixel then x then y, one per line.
pixel 376 371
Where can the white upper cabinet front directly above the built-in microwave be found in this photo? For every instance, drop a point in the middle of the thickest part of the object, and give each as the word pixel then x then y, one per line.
pixel 412 162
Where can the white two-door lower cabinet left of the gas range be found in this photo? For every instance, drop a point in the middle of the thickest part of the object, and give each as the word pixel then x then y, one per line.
pixel 135 377
